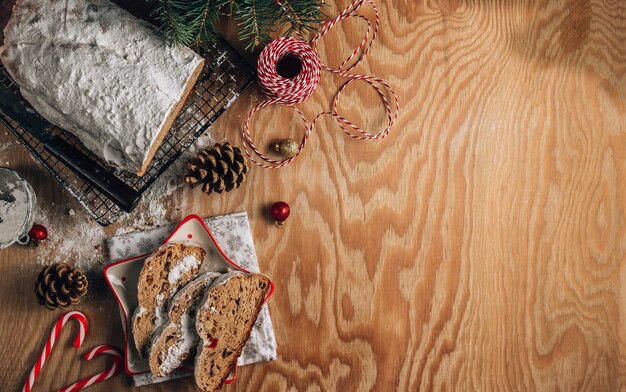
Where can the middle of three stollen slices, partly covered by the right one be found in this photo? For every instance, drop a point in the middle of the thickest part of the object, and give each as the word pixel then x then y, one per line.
pixel 176 340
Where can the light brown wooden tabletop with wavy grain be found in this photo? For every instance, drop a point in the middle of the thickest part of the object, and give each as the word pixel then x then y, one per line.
pixel 481 246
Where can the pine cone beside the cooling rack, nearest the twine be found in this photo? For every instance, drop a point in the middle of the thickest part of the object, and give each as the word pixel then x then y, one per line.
pixel 219 169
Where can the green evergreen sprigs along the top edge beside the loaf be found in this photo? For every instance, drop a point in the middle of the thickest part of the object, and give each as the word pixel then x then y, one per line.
pixel 194 22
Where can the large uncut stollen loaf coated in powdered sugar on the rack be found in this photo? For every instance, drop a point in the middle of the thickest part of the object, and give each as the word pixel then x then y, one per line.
pixel 95 70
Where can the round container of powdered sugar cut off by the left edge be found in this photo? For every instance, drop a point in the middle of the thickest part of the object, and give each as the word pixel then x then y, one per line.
pixel 17 208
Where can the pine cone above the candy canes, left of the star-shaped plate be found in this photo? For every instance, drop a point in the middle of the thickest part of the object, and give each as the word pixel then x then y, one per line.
pixel 60 285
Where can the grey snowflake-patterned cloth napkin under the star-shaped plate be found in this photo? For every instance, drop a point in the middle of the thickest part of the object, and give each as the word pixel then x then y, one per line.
pixel 232 232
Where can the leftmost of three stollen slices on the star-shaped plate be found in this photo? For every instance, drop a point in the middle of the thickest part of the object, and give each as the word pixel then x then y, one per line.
pixel 165 272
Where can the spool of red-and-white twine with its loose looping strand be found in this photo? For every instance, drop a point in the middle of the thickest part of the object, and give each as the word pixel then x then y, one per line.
pixel 292 91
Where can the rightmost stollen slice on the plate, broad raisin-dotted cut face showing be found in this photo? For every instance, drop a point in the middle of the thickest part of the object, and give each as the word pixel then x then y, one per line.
pixel 224 322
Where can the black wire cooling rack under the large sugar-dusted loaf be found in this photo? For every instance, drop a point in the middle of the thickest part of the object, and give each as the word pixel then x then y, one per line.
pixel 224 77
